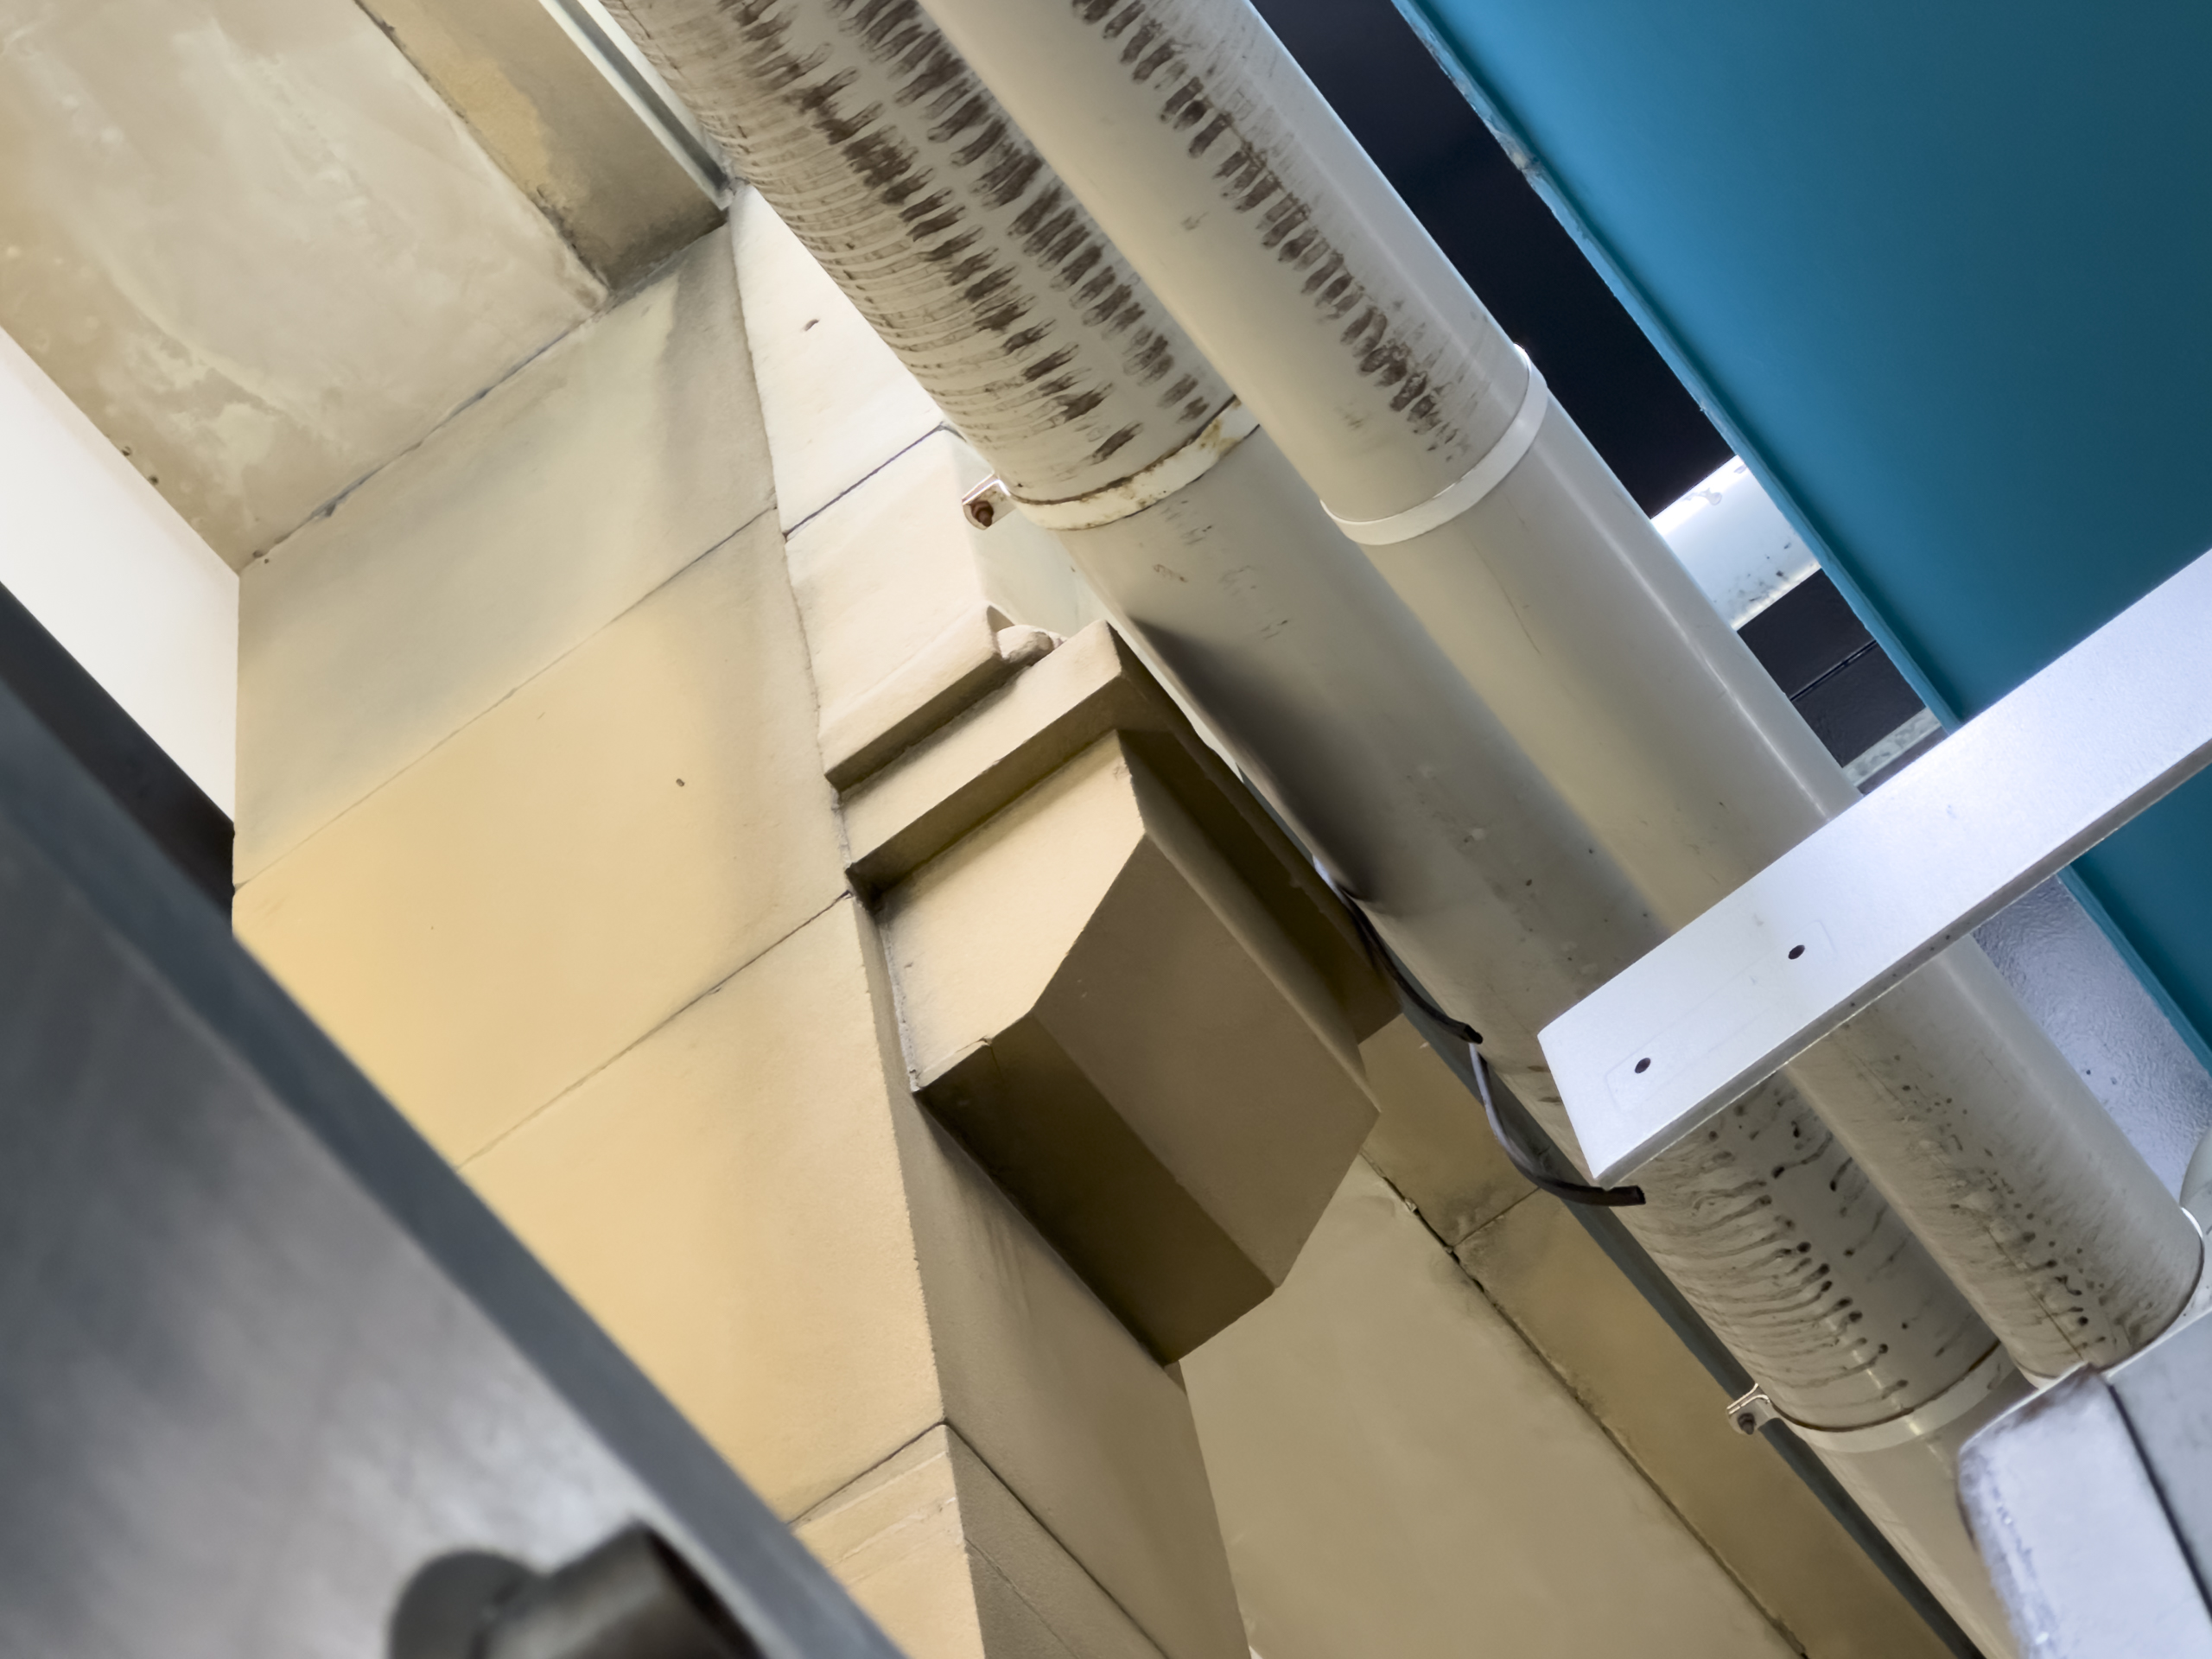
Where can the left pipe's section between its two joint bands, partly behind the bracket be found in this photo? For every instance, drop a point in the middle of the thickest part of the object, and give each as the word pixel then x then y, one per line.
pixel 1379 755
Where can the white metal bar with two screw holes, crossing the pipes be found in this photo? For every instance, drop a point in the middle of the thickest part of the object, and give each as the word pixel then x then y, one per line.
pixel 1877 893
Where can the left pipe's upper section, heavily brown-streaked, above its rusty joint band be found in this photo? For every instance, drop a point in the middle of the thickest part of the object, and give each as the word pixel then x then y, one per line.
pixel 921 198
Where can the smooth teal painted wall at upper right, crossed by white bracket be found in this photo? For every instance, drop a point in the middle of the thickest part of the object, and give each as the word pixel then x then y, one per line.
pixel 1945 280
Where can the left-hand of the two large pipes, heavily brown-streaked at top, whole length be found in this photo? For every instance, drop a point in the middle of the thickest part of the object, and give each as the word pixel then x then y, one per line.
pixel 884 156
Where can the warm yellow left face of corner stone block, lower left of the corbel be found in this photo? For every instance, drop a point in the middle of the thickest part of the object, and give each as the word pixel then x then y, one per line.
pixel 727 1200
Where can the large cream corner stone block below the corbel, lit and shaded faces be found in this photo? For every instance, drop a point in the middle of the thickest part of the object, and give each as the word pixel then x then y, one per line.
pixel 722 1200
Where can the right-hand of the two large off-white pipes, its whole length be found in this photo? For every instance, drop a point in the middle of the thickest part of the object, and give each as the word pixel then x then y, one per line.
pixel 1284 253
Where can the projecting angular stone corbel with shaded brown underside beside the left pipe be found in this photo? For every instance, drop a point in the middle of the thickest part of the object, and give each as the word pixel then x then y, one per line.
pixel 1120 990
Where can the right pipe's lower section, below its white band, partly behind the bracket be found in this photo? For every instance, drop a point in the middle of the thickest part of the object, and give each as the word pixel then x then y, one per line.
pixel 1596 649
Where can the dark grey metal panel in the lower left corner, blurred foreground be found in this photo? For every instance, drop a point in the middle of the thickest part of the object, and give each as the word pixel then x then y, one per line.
pixel 262 1355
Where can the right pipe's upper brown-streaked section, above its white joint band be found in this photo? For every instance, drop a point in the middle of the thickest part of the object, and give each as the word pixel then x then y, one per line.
pixel 1258 198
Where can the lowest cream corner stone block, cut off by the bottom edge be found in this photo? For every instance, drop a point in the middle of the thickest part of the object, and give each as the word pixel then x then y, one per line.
pixel 950 1565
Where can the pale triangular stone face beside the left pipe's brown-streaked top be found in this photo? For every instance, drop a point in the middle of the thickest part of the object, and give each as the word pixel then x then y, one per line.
pixel 835 397
